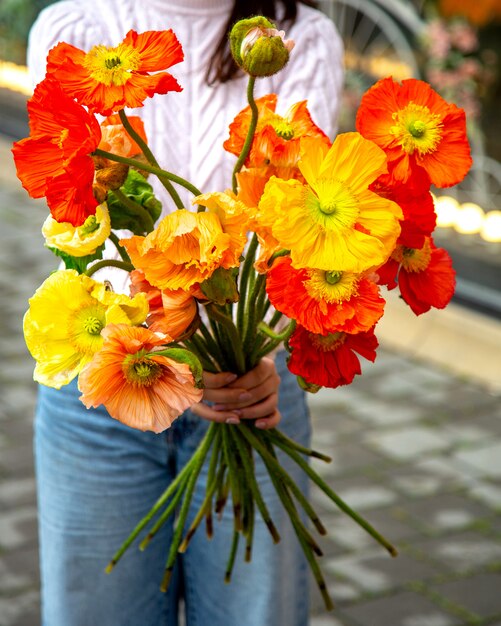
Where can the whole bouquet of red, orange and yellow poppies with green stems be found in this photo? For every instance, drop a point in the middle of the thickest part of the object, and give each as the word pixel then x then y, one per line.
pixel 294 255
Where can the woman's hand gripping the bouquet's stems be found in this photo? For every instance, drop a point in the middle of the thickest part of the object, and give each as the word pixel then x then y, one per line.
pixel 251 396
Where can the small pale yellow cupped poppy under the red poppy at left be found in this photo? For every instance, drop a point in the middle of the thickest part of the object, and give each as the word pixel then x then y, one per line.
pixel 78 240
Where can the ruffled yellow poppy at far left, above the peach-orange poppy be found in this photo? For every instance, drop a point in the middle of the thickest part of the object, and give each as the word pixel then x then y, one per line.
pixel 62 327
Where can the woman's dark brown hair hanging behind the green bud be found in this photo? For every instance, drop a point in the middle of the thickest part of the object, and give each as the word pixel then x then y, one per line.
pixel 222 67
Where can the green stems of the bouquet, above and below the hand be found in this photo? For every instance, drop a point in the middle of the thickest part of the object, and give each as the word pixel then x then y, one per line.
pixel 234 339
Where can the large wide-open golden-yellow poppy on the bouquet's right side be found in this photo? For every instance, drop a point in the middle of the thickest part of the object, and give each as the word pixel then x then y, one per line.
pixel 334 221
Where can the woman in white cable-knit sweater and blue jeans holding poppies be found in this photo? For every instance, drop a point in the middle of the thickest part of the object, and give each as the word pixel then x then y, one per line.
pixel 97 477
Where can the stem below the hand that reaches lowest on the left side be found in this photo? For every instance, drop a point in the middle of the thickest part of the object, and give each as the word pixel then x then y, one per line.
pixel 199 456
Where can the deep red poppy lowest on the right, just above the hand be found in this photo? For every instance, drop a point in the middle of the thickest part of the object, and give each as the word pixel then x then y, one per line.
pixel 331 360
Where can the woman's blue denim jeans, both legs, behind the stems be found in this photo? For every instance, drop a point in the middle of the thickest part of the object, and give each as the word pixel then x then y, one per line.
pixel 97 478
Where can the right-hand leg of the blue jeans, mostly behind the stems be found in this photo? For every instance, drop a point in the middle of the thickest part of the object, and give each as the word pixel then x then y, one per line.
pixel 273 589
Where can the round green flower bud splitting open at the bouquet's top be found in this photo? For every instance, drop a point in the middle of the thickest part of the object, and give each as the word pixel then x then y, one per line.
pixel 258 47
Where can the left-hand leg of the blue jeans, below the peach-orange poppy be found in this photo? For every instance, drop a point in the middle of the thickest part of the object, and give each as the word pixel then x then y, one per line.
pixel 96 479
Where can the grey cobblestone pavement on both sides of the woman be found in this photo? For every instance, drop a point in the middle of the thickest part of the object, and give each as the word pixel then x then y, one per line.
pixel 416 449
